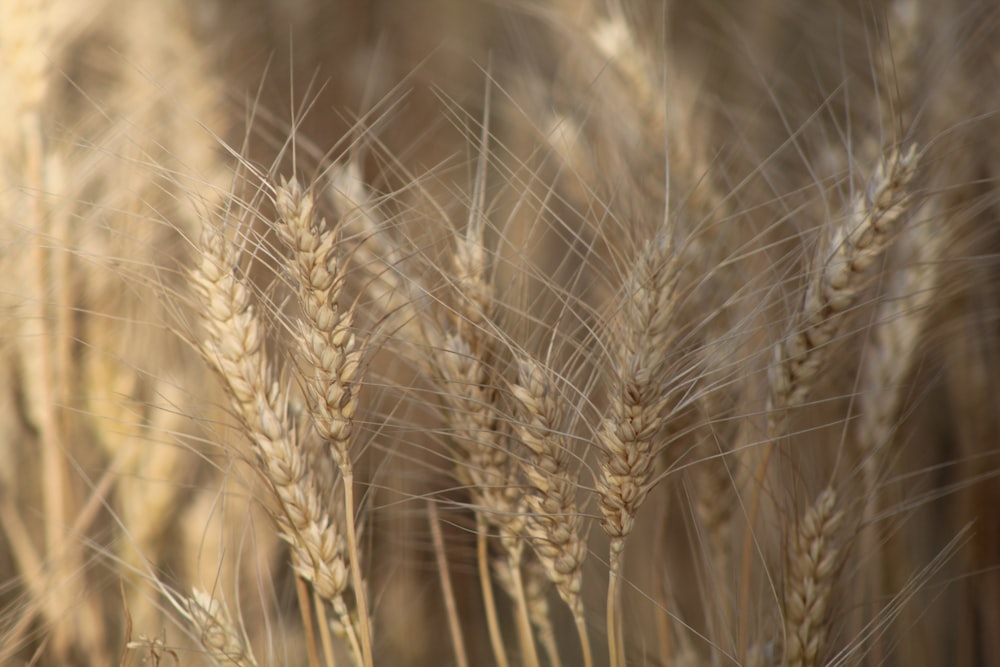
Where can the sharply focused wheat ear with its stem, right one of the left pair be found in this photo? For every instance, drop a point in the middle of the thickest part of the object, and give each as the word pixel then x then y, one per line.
pixel 330 355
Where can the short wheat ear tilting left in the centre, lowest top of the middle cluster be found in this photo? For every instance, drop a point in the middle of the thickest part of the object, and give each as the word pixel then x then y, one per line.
pixel 554 523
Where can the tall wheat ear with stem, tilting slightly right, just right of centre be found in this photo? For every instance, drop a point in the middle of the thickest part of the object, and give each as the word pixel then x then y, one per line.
pixel 639 407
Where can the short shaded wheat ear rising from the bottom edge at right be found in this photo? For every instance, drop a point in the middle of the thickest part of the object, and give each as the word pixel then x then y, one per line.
pixel 813 560
